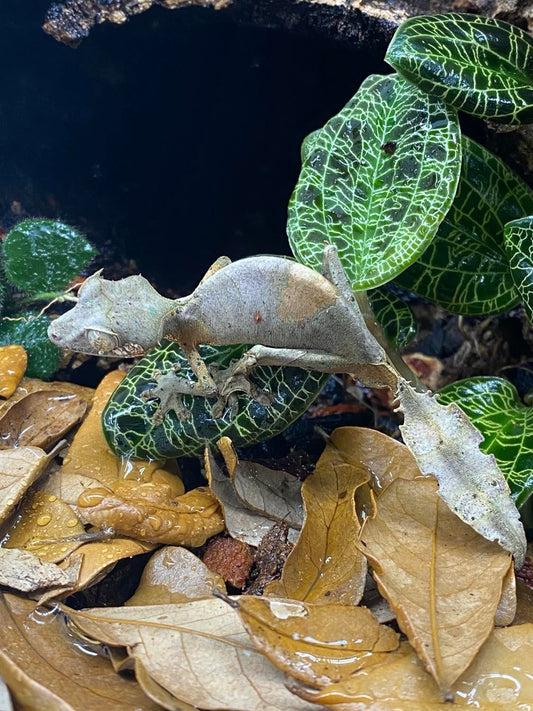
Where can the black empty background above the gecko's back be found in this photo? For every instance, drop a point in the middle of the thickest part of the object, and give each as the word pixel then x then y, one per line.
pixel 171 139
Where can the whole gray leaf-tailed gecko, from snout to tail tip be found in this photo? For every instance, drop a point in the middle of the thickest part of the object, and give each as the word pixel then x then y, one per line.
pixel 301 318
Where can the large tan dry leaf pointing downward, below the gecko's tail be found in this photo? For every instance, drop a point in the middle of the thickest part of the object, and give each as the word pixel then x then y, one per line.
pixel 443 580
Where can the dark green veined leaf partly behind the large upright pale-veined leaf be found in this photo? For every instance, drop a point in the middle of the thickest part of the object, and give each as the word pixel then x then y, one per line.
pixel 465 268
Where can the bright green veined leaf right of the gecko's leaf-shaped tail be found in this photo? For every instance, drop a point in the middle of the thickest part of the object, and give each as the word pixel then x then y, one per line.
pixel 494 407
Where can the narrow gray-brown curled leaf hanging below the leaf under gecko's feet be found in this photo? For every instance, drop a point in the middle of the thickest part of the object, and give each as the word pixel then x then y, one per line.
pixel 241 523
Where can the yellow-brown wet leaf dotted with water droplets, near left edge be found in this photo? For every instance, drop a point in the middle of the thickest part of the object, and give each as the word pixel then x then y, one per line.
pixel 42 522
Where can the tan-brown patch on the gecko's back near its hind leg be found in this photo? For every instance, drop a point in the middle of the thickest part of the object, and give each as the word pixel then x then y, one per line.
pixel 301 299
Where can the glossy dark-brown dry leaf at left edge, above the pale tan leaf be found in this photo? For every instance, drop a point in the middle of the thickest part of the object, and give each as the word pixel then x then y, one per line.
pixel 41 419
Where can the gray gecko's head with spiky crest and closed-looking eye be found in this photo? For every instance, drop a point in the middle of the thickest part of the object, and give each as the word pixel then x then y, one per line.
pixel 112 318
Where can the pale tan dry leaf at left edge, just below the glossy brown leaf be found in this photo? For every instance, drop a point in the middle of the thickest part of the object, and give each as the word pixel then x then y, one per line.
pixel 19 468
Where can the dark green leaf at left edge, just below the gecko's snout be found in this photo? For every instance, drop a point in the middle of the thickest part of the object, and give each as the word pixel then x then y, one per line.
pixel 30 331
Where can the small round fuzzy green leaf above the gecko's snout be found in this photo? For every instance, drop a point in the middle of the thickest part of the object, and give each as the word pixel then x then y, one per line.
pixel 44 255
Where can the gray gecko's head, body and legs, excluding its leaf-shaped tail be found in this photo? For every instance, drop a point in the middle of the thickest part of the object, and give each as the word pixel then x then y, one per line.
pixel 295 315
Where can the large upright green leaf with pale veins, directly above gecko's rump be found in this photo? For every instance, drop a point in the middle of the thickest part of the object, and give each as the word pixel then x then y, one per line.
pixel 376 181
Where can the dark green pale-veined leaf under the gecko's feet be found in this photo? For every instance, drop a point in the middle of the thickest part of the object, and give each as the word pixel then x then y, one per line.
pixel 127 419
